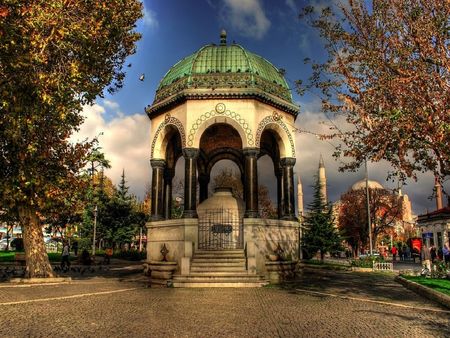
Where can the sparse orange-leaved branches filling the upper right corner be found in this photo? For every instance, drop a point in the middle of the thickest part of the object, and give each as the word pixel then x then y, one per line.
pixel 388 73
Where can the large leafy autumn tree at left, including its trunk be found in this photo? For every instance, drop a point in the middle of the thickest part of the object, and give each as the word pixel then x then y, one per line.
pixel 55 57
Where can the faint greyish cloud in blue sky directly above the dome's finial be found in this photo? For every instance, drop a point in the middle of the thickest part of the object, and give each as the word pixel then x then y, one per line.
pixel 247 17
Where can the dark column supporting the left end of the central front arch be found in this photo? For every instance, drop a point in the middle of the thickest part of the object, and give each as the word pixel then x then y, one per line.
pixel 190 182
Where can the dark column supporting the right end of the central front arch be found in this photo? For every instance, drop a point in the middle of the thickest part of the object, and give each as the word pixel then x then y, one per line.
pixel 251 182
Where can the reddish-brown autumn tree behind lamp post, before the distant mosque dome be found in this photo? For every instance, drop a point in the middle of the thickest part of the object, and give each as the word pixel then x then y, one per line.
pixel 386 211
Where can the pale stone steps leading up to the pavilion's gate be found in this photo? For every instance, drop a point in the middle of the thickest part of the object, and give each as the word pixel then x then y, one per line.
pixel 218 269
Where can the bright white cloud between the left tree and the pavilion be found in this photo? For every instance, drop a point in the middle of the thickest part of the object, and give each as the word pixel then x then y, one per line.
pixel 125 142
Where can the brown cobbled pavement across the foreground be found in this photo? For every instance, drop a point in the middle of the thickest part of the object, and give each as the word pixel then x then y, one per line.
pixel 319 304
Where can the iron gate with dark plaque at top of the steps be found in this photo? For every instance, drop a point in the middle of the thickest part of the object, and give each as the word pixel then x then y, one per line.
pixel 220 229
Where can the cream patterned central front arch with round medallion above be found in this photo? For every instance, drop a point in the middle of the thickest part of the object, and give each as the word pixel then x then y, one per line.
pixel 221 113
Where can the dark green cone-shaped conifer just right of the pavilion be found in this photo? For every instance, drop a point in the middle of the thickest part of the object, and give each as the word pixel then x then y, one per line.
pixel 320 232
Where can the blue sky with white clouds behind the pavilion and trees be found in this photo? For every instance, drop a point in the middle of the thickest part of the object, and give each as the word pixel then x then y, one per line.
pixel 174 29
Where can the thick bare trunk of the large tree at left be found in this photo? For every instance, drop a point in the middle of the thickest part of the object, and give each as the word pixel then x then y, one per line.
pixel 37 262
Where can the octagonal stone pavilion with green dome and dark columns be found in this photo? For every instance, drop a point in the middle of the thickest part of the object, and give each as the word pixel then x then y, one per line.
pixel 221 102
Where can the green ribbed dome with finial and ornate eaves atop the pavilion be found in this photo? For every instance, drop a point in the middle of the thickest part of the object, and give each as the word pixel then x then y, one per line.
pixel 224 71
